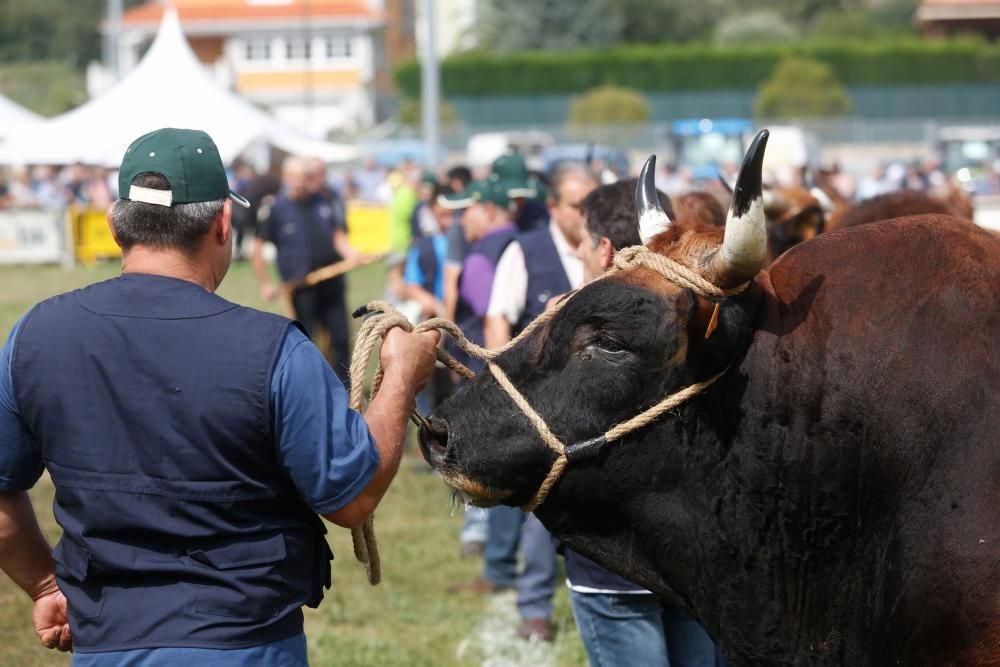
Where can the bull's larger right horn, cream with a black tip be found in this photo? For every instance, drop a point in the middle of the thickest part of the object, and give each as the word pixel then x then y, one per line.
pixel 744 246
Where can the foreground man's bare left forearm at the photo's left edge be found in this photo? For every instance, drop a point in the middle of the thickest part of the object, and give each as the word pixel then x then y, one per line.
pixel 25 556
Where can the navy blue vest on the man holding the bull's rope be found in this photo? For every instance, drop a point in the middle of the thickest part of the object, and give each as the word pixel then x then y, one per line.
pixel 150 400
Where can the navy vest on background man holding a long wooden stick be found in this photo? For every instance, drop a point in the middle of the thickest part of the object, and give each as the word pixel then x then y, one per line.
pixel 302 248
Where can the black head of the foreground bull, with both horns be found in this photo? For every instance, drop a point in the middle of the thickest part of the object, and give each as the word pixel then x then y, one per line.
pixel 616 347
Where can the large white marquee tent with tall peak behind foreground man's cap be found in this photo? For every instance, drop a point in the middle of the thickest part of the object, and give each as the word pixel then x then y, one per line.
pixel 169 88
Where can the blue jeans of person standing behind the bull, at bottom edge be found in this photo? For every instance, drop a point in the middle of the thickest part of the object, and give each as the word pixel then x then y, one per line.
pixel 639 630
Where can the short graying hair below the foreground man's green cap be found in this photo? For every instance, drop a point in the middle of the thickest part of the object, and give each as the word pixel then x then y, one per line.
pixel 180 226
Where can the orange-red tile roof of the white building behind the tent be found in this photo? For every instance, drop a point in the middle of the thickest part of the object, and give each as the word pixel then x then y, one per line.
pixel 152 12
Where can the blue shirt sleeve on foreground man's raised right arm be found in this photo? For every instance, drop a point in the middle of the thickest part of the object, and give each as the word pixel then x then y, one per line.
pixel 323 445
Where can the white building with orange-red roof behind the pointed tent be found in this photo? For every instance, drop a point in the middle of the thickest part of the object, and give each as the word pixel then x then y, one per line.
pixel 312 63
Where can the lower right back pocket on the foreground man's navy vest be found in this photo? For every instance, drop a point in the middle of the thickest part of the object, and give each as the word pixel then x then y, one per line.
pixel 249 579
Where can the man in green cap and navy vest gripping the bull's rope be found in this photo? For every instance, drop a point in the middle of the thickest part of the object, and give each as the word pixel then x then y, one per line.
pixel 193 443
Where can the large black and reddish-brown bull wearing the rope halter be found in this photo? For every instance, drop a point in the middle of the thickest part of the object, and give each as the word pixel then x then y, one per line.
pixel 832 498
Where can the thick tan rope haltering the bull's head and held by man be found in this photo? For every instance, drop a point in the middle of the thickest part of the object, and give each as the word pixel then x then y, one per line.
pixel 382 317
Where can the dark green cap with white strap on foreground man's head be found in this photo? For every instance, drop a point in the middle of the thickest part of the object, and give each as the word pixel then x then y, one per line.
pixel 188 159
